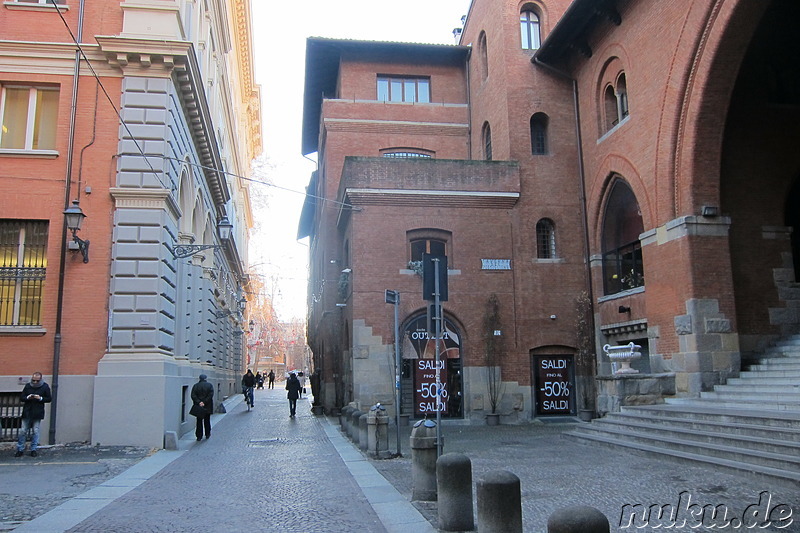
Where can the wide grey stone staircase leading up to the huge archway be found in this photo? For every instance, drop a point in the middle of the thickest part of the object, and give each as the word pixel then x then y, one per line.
pixel 751 424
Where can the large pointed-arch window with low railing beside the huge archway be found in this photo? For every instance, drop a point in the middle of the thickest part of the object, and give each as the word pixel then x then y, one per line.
pixel 622 251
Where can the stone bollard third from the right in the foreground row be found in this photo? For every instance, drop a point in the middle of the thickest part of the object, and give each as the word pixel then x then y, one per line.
pixel 454 487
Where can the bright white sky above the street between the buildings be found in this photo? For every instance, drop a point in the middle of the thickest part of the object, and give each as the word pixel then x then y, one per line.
pixel 280 30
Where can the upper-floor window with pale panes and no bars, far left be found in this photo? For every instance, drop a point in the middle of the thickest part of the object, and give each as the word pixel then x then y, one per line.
pixel 28 116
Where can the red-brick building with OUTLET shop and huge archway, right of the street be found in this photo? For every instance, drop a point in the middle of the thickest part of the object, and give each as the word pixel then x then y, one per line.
pixel 632 155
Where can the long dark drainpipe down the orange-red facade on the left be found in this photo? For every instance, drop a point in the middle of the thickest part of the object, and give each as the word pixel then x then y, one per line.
pixel 63 258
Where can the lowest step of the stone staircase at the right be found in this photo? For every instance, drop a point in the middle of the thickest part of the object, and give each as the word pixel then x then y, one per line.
pixel 761 473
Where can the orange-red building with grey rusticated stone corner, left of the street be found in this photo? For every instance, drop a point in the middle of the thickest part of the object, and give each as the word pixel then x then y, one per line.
pixel 141 114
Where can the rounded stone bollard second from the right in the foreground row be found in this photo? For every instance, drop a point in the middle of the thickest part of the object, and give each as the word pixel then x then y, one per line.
pixel 499 503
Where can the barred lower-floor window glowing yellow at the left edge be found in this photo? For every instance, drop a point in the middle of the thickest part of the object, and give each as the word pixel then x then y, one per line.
pixel 23 264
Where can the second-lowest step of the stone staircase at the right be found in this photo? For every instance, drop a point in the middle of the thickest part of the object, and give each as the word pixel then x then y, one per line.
pixel 728 450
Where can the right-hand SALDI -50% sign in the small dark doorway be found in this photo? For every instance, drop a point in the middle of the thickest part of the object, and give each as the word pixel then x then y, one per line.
pixel 554 380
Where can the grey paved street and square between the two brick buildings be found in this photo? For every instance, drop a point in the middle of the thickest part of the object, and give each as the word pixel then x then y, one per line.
pixel 262 471
